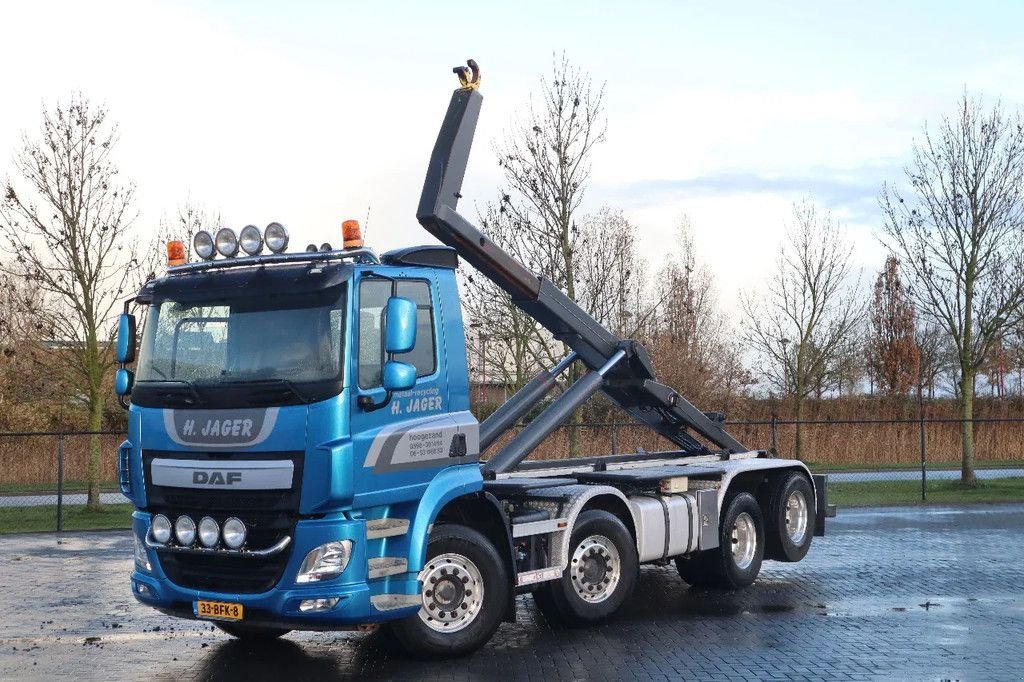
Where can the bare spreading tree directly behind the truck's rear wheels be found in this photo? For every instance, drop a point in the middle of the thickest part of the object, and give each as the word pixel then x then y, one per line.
pixel 801 328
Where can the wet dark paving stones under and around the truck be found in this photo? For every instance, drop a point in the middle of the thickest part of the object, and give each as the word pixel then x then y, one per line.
pixel 903 593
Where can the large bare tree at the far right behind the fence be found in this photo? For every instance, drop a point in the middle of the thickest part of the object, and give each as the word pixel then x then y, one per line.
pixel 960 231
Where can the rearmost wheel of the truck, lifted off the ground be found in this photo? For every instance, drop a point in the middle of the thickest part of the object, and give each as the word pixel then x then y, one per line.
pixel 791 519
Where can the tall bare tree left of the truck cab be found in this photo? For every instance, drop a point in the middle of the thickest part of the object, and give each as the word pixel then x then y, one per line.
pixel 66 225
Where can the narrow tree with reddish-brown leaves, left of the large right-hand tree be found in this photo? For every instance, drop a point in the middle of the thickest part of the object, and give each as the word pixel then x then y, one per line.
pixel 892 352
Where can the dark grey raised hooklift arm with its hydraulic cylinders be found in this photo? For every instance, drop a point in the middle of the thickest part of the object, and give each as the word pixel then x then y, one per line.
pixel 621 368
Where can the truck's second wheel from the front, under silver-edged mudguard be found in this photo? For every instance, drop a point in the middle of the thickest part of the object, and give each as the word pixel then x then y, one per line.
pixel 601 576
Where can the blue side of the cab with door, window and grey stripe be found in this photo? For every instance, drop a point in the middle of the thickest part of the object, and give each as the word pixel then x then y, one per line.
pixel 400 447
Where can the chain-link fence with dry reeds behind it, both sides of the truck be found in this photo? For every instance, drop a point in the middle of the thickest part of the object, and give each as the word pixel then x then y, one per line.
pixel 45 477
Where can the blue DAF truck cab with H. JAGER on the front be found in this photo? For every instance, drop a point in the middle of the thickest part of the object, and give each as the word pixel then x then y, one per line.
pixel 275 399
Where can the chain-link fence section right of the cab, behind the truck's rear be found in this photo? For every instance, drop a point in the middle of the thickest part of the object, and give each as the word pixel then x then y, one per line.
pixel 869 461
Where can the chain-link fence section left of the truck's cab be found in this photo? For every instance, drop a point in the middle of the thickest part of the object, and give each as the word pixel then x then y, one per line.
pixel 45 483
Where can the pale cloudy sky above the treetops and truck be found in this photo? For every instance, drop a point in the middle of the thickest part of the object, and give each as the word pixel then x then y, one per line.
pixel 311 113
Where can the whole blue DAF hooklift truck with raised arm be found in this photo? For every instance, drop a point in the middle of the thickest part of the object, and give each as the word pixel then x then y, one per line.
pixel 303 456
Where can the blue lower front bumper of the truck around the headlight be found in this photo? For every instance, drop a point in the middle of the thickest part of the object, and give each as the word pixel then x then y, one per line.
pixel 280 606
